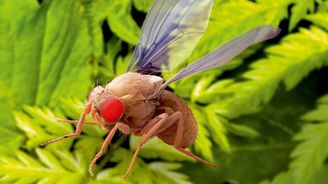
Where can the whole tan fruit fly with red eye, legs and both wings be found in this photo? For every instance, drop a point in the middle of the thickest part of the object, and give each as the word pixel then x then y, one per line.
pixel 137 102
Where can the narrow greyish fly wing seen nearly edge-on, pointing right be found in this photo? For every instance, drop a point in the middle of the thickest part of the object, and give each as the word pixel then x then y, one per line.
pixel 229 50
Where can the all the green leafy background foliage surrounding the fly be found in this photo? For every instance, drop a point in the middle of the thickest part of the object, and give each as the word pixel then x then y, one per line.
pixel 263 118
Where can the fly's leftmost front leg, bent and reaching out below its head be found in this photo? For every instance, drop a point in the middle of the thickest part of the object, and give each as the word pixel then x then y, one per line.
pixel 78 129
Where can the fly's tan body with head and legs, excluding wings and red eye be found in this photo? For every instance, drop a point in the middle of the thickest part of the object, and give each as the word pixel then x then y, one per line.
pixel 149 111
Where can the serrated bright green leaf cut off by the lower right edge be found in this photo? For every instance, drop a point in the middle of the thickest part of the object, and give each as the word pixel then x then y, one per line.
pixel 310 154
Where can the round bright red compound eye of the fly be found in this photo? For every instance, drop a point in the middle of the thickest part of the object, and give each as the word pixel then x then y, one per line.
pixel 112 109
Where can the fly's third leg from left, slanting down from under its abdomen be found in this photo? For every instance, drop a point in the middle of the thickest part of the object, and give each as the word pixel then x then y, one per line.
pixel 155 124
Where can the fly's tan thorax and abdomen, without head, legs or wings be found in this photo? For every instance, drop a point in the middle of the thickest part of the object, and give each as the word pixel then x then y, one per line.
pixel 134 90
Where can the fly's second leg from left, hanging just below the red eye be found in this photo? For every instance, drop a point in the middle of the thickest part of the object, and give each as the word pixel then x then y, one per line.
pixel 118 126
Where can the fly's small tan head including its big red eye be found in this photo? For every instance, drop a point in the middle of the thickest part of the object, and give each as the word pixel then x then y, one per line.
pixel 110 107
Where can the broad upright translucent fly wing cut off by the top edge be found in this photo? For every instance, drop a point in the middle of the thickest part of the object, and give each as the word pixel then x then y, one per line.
pixel 170 33
